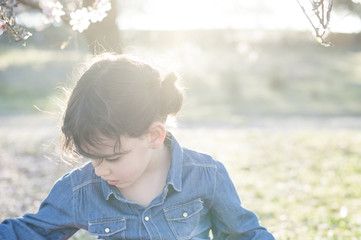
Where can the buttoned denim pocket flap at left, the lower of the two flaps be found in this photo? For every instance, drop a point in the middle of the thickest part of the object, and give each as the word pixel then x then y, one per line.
pixel 106 227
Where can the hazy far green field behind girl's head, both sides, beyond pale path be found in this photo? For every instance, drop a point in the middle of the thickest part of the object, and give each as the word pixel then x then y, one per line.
pixel 244 71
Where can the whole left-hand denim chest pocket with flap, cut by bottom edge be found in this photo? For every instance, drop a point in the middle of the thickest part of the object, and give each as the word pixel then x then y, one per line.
pixel 108 229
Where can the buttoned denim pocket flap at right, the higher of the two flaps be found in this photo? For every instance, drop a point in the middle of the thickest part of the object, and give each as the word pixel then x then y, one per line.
pixel 183 211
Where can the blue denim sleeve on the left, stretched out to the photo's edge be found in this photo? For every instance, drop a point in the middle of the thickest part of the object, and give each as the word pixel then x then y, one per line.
pixel 54 220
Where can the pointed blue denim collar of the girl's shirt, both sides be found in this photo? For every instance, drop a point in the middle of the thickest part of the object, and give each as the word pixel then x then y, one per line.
pixel 174 175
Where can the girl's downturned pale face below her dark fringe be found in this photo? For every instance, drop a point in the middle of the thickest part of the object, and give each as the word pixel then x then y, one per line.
pixel 125 168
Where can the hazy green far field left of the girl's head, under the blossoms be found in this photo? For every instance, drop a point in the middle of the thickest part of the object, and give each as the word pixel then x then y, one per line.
pixel 26 81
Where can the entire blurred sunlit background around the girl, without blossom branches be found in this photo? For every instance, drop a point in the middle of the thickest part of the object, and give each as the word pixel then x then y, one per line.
pixel 282 111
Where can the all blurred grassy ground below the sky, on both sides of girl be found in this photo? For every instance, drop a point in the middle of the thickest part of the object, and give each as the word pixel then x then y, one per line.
pixel 301 176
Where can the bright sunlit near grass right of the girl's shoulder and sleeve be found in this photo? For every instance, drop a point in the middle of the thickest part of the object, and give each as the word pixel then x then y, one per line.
pixel 303 184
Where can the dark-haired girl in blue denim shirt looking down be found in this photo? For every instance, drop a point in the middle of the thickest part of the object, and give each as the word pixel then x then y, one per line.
pixel 140 184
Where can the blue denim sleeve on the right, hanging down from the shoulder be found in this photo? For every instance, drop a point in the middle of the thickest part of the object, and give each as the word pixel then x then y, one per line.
pixel 229 219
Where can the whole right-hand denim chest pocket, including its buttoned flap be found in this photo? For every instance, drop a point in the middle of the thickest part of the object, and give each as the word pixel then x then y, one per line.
pixel 184 219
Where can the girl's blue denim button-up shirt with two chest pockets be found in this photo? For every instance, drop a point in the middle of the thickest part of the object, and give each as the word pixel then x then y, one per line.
pixel 199 196
